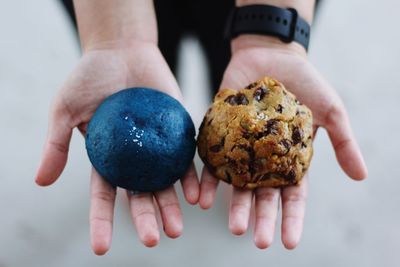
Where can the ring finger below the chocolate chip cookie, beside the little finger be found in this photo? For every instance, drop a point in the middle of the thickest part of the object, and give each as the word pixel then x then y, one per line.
pixel 240 210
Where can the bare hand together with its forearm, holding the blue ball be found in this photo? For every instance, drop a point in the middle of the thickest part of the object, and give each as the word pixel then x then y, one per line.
pixel 119 43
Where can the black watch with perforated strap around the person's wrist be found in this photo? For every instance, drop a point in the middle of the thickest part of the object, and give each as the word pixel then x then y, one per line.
pixel 283 23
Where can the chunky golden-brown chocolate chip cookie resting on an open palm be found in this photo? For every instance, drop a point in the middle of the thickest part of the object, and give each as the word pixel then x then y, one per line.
pixel 258 136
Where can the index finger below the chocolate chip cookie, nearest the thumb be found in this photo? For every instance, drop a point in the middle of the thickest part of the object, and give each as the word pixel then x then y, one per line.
pixel 293 209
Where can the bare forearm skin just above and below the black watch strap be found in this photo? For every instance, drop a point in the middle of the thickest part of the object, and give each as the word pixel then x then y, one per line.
pixel 305 9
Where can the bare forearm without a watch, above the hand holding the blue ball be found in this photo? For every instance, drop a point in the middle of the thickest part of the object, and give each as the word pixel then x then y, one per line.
pixel 105 23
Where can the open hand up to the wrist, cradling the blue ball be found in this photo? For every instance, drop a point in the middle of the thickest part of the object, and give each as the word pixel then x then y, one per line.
pixel 102 71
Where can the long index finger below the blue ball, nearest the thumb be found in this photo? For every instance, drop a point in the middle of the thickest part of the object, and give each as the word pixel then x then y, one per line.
pixel 101 213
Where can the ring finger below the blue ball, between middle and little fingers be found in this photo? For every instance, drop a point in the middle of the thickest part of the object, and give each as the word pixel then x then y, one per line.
pixel 170 211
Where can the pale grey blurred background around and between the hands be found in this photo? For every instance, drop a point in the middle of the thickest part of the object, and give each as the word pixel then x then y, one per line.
pixel 354 44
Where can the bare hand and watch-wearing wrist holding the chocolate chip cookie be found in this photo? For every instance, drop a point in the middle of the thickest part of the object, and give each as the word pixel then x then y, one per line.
pixel 253 57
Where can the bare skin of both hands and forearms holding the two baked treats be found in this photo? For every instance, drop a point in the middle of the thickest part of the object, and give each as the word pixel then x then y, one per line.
pixel 119 42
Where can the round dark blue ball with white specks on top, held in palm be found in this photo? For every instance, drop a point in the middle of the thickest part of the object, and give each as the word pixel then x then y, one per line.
pixel 141 139
